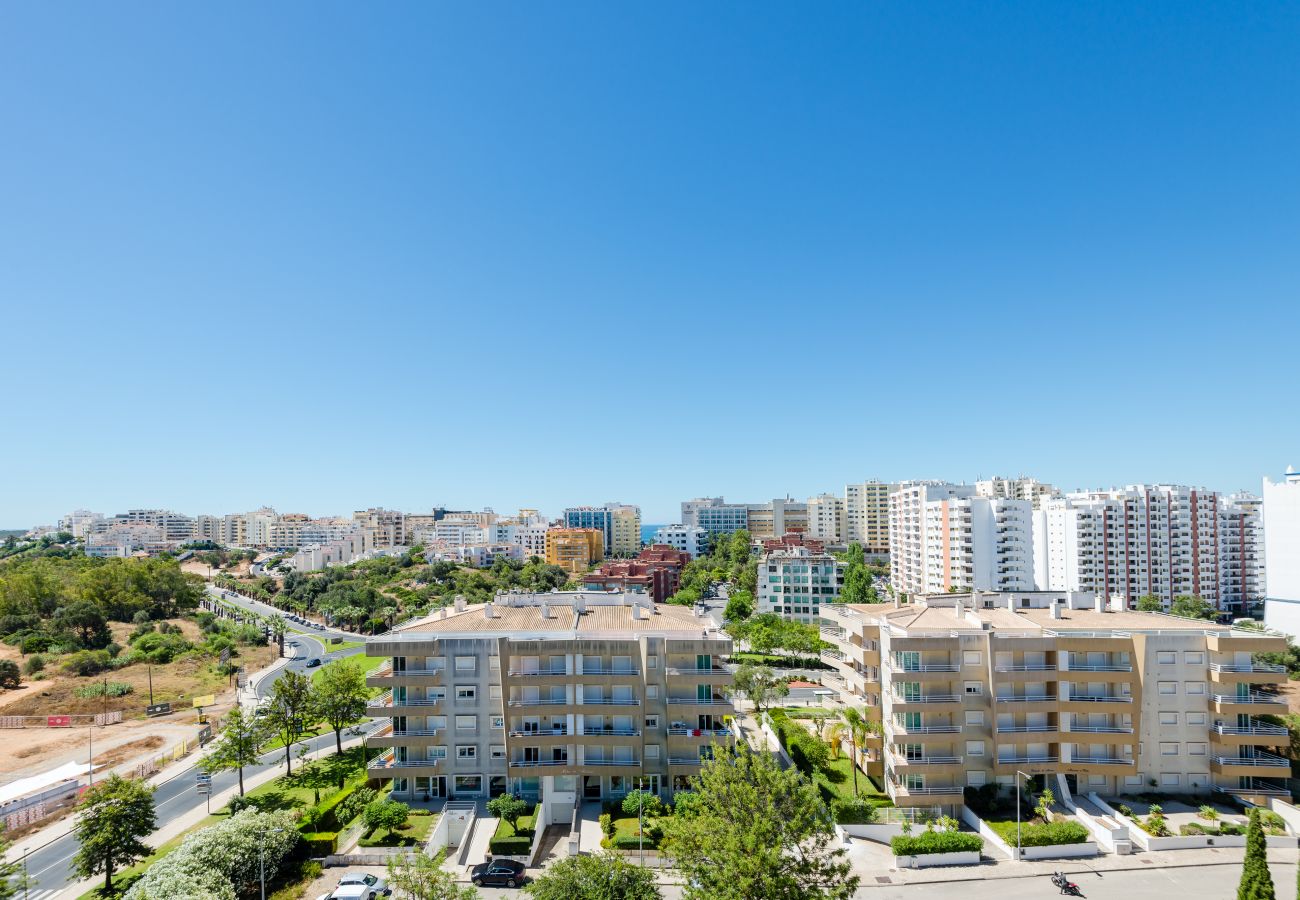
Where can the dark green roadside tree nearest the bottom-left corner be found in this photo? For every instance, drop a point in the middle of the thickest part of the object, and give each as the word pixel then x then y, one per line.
pixel 112 819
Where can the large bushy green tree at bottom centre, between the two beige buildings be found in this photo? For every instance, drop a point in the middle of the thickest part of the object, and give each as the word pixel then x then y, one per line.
pixel 760 833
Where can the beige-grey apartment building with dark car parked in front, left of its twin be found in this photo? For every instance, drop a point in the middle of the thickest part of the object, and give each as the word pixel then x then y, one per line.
pixel 561 698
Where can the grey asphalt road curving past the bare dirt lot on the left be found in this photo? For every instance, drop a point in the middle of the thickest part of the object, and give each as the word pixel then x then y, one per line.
pixel 51 866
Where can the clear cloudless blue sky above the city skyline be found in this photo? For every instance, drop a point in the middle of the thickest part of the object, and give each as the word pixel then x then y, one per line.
pixel 541 254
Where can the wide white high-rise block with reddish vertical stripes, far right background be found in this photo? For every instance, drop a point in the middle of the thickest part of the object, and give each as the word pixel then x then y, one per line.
pixel 1160 540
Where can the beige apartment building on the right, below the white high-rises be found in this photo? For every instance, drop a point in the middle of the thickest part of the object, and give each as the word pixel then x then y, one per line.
pixel 972 689
